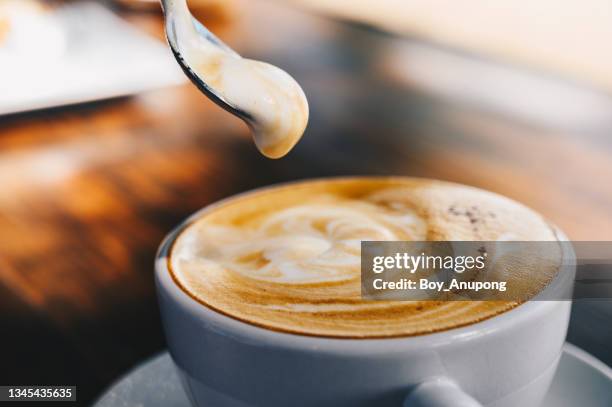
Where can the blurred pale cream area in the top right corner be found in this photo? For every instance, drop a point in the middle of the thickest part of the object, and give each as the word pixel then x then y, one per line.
pixel 566 37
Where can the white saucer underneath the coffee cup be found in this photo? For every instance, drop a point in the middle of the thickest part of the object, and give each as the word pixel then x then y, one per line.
pixel 581 380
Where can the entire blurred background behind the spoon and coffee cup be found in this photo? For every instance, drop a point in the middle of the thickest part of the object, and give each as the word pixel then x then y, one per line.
pixel 104 147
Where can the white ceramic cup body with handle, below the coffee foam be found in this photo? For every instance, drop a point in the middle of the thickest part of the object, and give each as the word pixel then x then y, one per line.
pixel 505 361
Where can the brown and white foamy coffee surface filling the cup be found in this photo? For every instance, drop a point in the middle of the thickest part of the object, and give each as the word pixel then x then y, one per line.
pixel 288 258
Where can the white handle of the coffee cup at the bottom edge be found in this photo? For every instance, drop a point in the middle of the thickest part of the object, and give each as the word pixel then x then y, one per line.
pixel 439 392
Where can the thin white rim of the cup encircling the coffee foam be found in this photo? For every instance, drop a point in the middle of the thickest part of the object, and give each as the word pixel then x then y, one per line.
pixel 248 332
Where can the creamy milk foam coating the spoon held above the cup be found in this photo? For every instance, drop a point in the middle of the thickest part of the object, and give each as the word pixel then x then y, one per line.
pixel 275 105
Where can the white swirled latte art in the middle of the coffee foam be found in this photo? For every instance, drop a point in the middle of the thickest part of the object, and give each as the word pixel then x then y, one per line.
pixel 311 243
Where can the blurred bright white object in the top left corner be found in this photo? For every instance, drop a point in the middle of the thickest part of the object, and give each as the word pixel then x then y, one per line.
pixel 77 53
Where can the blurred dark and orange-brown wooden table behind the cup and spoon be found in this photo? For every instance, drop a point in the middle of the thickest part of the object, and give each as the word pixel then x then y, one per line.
pixel 88 192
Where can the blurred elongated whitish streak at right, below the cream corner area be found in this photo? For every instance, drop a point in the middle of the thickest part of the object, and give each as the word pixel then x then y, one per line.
pixel 520 93
